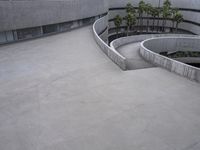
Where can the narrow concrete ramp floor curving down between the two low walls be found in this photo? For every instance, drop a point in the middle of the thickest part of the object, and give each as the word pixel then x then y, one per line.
pixel 134 60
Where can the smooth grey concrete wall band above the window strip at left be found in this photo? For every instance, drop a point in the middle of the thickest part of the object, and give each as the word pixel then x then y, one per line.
pixel 25 14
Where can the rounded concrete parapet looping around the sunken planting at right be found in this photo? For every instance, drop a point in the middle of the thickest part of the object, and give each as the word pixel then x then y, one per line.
pixel 150 49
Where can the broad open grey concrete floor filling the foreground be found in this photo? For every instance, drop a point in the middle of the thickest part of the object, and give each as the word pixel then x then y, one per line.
pixel 62 93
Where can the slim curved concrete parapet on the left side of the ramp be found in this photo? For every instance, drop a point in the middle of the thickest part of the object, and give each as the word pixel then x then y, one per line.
pixel 99 26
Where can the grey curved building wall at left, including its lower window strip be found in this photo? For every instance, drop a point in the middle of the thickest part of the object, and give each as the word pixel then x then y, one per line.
pixel 25 19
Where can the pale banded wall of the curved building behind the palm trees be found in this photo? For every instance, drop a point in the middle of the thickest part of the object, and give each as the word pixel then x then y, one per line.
pixel 191 14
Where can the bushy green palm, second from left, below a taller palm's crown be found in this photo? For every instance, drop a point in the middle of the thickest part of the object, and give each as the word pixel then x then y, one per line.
pixel 130 19
